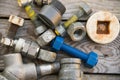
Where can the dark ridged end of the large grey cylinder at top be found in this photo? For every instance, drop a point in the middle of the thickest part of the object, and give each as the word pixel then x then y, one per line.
pixel 57 4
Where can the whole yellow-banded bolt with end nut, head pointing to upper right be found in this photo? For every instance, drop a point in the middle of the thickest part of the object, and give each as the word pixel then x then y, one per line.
pixel 84 9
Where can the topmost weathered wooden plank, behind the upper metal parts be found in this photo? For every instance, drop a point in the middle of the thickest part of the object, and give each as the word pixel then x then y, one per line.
pixel 7 7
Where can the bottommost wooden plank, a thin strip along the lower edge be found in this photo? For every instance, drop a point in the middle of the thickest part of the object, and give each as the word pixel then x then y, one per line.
pixel 87 77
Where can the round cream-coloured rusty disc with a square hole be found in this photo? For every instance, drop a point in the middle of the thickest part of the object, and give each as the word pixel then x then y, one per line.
pixel 103 27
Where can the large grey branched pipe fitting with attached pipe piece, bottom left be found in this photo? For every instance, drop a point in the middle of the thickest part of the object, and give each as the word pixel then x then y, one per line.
pixel 16 70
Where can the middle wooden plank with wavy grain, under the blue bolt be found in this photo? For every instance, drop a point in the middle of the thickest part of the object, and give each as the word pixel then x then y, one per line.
pixel 109 54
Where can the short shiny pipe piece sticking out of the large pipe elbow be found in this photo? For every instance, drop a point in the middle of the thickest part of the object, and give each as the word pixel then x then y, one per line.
pixel 48 68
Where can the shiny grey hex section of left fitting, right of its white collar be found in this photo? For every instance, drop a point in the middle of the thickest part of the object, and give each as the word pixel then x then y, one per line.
pixel 33 50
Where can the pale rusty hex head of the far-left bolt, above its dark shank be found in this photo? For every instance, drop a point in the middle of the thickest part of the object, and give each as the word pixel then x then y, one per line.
pixel 16 20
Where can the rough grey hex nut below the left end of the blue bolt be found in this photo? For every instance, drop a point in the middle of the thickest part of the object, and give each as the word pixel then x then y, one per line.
pixel 47 56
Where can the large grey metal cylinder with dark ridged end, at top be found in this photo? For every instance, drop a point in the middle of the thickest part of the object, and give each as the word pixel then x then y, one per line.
pixel 51 14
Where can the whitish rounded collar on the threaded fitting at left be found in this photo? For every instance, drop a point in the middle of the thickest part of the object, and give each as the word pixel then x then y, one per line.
pixel 19 45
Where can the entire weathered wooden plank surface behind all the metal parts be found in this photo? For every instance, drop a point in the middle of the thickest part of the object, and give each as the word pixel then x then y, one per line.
pixel 108 67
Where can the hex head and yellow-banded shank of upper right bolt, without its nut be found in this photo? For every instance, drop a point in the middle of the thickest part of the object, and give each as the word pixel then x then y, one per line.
pixel 84 9
